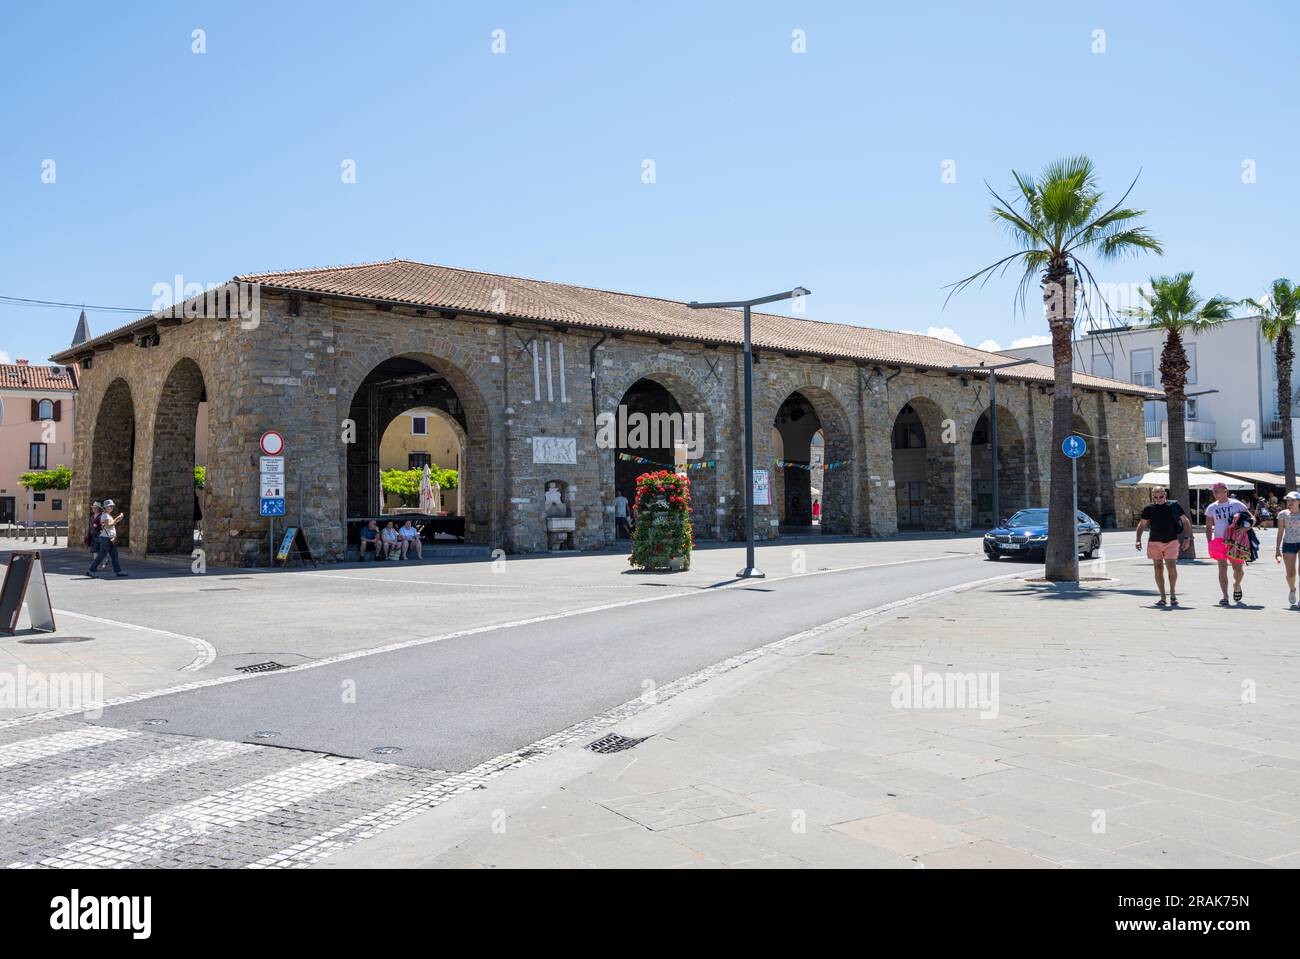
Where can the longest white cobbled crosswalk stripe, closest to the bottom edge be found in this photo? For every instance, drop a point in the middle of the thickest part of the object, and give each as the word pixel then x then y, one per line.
pixel 135 844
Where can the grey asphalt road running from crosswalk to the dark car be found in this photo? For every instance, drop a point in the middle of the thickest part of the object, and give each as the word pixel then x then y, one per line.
pixel 457 702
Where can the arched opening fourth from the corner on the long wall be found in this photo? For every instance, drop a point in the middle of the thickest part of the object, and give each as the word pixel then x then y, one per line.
pixel 924 468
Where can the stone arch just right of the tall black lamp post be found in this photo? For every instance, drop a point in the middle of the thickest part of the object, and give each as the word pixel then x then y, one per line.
pixel 839 485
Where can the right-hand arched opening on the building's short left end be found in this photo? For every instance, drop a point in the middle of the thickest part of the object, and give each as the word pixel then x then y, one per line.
pixel 175 513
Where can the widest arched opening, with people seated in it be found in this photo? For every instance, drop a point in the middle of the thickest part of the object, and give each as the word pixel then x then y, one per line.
pixel 393 397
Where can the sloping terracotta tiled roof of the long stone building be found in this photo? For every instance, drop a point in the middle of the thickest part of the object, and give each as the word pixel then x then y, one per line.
pixel 445 288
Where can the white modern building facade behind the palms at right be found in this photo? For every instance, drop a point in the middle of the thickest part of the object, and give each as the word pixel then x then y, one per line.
pixel 1234 428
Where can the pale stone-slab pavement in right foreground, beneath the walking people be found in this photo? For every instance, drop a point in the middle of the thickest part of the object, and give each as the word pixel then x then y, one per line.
pixel 1125 736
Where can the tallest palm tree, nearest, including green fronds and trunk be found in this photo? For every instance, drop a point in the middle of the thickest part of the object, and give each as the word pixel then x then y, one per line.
pixel 1056 220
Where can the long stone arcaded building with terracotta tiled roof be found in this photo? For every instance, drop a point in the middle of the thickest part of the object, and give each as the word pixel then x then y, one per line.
pixel 331 357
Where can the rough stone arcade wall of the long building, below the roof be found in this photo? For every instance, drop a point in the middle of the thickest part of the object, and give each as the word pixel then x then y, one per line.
pixel 300 367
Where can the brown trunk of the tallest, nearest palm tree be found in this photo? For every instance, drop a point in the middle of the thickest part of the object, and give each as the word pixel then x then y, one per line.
pixel 1059 303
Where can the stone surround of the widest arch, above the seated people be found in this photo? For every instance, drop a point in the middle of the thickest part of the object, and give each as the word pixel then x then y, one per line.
pixel 466 379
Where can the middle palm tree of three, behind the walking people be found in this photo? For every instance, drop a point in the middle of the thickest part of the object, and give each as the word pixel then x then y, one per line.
pixel 1175 307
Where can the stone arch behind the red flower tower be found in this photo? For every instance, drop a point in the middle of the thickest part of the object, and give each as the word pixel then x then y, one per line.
pixel 692 398
